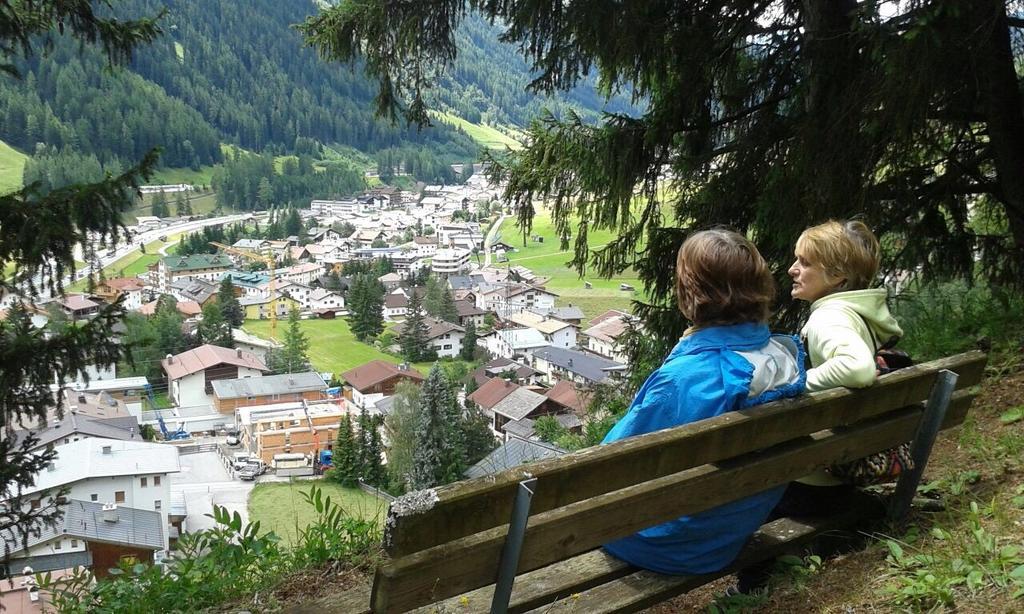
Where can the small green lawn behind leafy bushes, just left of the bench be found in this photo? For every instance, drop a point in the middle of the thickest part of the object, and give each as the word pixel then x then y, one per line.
pixel 281 508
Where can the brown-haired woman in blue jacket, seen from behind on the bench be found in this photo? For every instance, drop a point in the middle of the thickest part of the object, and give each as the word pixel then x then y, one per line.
pixel 726 362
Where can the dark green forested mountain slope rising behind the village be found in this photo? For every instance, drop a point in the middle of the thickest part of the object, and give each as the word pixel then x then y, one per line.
pixel 239 73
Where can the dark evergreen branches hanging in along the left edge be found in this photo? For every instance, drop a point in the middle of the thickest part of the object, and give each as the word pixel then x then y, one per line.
pixel 42 253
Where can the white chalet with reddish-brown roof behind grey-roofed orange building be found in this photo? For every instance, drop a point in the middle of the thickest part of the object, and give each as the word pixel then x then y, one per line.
pixel 191 375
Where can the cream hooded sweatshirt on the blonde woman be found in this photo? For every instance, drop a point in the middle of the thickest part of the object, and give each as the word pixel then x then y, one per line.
pixel 842 335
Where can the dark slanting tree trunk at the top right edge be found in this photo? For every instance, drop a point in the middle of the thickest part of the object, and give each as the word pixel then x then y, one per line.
pixel 1002 106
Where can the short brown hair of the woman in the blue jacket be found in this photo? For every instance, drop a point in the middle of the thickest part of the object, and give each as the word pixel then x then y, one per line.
pixel 721 279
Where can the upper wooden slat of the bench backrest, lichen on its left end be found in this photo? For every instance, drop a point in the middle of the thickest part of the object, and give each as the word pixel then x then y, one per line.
pixel 475 506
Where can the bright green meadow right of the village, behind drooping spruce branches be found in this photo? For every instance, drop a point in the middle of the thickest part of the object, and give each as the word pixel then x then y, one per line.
pixel 549 259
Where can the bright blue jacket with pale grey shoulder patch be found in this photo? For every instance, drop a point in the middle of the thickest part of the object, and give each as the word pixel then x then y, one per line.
pixel 707 375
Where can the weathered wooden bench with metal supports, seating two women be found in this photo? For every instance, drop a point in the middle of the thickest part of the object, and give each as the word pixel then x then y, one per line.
pixel 466 543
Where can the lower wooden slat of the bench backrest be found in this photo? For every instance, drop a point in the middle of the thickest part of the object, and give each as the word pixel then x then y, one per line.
pixel 470 563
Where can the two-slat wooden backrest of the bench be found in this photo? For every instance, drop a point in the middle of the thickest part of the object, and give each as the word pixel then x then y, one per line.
pixel 448 541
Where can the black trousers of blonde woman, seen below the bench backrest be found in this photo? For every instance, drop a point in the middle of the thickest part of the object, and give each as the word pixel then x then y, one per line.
pixel 803 501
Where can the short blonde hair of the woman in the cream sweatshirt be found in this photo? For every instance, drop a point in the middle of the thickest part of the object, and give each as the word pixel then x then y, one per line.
pixel 845 250
